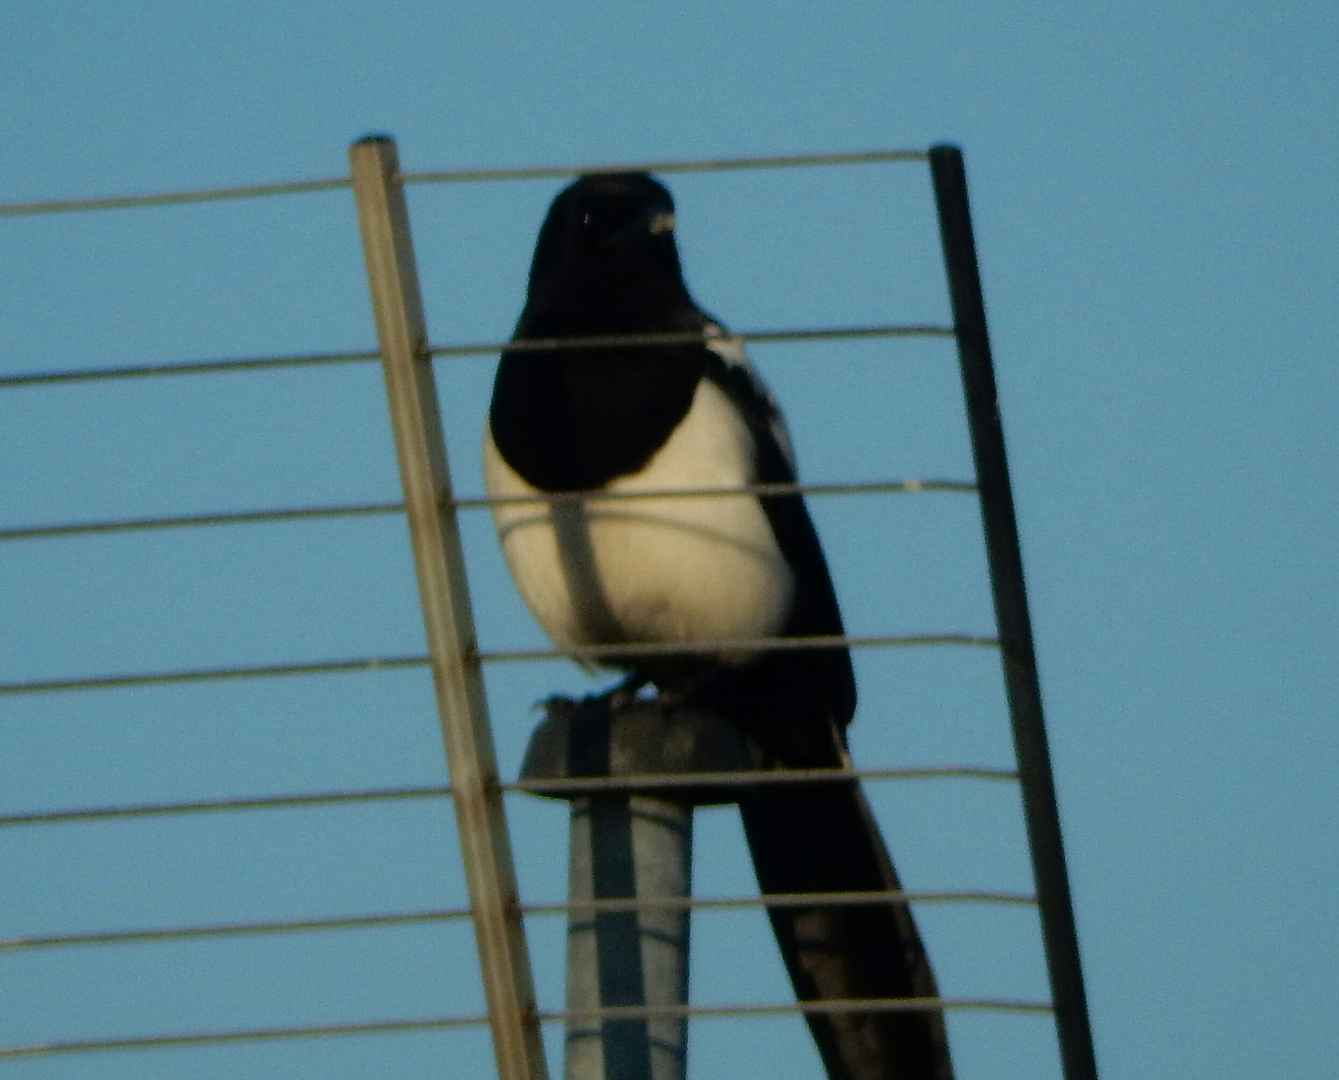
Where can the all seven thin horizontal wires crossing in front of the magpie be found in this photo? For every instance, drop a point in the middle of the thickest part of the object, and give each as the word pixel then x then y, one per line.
pixel 283 802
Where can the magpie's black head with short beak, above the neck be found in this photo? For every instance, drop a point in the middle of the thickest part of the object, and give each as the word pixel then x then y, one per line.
pixel 609 236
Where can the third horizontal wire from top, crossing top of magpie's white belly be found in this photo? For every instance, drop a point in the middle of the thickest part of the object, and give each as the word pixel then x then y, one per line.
pixel 473 503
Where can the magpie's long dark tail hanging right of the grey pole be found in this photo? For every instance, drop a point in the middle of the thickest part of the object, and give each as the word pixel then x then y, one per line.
pixel 823 838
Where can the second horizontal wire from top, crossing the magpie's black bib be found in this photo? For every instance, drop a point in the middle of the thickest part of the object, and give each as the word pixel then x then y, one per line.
pixel 476 349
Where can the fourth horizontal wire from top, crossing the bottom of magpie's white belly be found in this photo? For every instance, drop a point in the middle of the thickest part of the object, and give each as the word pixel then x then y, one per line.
pixel 488 656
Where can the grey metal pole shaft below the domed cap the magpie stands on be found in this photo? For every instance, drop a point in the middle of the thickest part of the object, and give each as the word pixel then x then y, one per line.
pixel 623 848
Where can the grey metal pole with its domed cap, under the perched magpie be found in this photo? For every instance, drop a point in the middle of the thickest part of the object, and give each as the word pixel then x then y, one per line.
pixel 629 846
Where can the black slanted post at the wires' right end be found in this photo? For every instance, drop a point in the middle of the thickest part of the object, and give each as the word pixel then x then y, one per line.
pixel 1016 630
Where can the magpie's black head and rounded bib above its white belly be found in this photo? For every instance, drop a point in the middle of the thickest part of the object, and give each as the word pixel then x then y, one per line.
pixel 606 264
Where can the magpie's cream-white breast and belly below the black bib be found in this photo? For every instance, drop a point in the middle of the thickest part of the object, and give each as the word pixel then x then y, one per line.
pixel 653 571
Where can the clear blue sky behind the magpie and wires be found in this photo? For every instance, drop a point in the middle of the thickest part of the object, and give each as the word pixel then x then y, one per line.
pixel 1155 200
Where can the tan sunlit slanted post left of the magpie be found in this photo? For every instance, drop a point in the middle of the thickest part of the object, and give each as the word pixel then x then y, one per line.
pixel 439 560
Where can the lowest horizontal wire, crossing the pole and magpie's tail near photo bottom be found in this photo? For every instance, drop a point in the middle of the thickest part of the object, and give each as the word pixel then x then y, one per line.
pixel 548 1016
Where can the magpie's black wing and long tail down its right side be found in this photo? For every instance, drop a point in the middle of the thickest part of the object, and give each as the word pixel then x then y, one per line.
pixel 823 837
